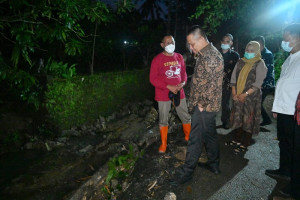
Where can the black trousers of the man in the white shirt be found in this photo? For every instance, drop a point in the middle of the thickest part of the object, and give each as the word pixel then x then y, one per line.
pixel 285 135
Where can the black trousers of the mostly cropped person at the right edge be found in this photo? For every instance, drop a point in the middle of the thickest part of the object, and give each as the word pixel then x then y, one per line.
pixel 295 176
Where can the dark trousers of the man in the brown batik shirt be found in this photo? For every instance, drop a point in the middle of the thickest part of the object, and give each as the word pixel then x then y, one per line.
pixel 203 131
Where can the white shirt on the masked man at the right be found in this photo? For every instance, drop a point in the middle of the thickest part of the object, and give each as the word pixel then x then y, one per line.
pixel 288 86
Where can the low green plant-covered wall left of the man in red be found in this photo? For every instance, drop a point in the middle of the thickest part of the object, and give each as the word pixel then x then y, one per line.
pixel 80 100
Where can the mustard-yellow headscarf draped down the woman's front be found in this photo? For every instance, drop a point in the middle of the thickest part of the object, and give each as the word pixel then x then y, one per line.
pixel 248 66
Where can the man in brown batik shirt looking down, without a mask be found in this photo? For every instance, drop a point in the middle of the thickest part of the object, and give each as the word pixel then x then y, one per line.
pixel 205 102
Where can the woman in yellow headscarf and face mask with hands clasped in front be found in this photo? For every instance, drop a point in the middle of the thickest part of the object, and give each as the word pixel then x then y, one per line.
pixel 246 81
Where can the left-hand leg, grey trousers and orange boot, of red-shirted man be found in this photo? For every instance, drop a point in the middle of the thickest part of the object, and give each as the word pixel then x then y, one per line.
pixel 163 109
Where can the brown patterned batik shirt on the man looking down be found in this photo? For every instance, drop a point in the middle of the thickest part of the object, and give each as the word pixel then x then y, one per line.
pixel 206 84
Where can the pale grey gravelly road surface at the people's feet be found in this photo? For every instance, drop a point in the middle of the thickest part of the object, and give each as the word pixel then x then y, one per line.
pixel 251 182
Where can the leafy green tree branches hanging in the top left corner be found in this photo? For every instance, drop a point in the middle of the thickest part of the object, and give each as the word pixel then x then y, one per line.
pixel 29 24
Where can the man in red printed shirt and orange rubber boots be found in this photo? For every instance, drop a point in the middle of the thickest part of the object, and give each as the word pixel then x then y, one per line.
pixel 168 76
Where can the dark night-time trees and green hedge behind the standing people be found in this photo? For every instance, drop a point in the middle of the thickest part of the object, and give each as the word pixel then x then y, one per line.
pixel 64 63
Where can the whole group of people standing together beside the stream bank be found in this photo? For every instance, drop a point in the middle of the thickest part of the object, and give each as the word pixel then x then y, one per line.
pixel 219 76
